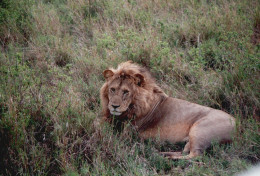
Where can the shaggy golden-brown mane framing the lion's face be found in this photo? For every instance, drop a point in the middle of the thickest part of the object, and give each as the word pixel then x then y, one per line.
pixel 145 94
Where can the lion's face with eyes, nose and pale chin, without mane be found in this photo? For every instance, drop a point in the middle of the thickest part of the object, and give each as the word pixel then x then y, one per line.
pixel 120 95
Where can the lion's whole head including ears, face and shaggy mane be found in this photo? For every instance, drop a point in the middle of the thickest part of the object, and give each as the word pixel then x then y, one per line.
pixel 128 91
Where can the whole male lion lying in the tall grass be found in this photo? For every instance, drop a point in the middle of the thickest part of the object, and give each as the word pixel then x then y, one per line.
pixel 130 92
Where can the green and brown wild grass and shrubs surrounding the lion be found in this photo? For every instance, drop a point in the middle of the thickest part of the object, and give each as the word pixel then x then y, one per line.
pixel 52 56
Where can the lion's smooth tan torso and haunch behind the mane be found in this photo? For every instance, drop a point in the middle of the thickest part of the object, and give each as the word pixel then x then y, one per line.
pixel 185 121
